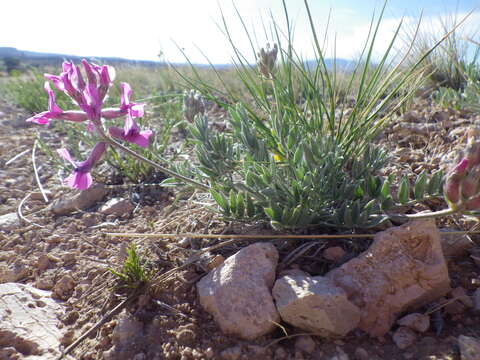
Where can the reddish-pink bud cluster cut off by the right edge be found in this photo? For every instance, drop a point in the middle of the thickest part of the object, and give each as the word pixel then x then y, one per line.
pixel 462 184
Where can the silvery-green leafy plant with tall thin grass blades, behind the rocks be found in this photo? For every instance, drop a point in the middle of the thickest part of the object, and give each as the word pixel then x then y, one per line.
pixel 300 153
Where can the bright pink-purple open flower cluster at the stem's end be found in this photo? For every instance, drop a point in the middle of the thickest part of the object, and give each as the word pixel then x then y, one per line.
pixel 89 92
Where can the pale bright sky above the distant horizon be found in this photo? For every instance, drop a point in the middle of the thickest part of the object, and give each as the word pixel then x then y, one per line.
pixel 142 29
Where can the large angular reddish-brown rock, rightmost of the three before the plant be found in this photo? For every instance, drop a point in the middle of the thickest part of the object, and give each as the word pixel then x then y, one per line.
pixel 403 269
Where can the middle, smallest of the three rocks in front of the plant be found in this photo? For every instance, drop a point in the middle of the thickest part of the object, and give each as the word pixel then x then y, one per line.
pixel 315 304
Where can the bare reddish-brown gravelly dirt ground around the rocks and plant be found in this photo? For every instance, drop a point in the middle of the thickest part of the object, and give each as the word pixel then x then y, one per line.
pixel 50 247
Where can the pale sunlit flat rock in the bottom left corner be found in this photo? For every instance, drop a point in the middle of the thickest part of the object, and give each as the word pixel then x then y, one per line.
pixel 28 324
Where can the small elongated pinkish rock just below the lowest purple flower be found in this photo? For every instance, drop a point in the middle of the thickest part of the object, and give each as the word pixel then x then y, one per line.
pixel 81 201
